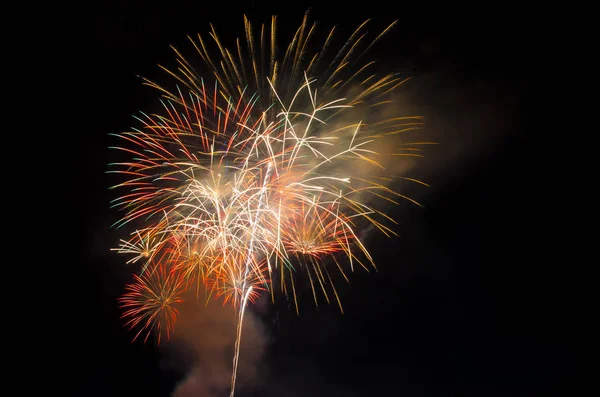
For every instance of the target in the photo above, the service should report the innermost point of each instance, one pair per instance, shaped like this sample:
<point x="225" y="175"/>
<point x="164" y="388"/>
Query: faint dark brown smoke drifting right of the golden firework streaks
<point x="468" y="118"/>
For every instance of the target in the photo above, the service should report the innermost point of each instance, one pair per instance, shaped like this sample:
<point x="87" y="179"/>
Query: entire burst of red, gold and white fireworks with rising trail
<point x="241" y="182"/>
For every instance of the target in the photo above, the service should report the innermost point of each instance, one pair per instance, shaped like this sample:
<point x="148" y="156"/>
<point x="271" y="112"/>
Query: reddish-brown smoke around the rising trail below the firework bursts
<point x="203" y="346"/>
